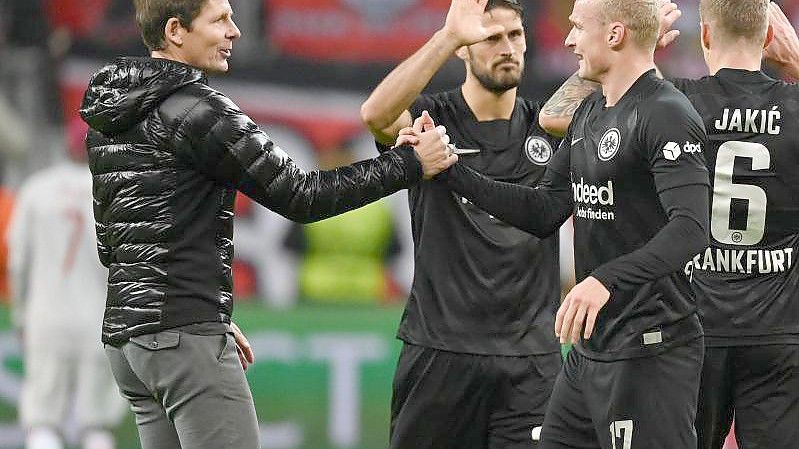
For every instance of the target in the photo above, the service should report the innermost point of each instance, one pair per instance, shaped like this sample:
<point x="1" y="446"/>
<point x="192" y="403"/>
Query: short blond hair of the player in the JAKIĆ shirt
<point x="746" y="19"/>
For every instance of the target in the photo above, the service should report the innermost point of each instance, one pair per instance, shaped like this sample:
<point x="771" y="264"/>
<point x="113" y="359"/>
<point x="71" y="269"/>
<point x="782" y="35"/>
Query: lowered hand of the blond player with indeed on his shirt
<point x="579" y="310"/>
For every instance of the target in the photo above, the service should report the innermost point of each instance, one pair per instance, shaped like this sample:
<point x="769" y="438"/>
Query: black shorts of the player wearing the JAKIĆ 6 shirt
<point x="760" y="386"/>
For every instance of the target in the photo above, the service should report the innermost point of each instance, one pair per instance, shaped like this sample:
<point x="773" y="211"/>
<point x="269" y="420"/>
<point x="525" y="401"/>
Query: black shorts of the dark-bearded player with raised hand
<point x="447" y="400"/>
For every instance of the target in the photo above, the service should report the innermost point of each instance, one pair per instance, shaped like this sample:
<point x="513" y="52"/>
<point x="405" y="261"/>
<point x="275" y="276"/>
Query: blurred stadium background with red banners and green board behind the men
<point x="320" y="303"/>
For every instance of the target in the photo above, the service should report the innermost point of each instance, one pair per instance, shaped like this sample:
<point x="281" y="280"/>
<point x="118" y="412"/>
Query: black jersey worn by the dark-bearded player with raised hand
<point x="481" y="286"/>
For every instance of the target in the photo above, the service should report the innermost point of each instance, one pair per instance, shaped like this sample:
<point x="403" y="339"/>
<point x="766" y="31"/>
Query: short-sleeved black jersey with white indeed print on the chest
<point x="621" y="160"/>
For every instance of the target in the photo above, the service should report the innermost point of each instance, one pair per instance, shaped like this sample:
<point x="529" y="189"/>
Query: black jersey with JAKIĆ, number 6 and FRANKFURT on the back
<point x="747" y="283"/>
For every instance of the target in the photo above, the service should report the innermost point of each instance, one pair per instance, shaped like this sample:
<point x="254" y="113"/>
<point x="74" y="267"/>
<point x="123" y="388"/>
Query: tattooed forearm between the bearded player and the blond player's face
<point x="556" y="115"/>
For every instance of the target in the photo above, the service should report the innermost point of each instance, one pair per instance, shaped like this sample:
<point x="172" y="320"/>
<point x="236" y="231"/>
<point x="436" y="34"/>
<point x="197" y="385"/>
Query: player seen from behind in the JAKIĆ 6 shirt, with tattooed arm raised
<point x="745" y="281"/>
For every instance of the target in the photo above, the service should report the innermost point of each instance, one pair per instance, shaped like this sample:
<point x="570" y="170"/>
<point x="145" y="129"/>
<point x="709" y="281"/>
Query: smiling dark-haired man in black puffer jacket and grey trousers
<point x="167" y="154"/>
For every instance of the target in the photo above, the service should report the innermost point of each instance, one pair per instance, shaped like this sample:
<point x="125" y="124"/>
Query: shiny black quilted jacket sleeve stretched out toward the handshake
<point x="219" y="140"/>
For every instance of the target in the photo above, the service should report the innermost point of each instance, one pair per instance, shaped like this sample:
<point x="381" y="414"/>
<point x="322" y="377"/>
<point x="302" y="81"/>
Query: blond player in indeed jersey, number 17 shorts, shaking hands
<point x="631" y="171"/>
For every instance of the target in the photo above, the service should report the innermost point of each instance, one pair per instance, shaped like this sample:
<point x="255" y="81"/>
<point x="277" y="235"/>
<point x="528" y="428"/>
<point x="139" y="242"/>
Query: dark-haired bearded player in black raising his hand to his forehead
<point x="479" y="358"/>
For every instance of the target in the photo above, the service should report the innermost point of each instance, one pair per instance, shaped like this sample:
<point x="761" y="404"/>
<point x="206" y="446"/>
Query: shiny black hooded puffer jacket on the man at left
<point x="167" y="154"/>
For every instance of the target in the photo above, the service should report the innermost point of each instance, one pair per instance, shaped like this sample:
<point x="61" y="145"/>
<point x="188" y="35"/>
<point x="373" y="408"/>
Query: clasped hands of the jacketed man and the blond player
<point x="430" y="143"/>
